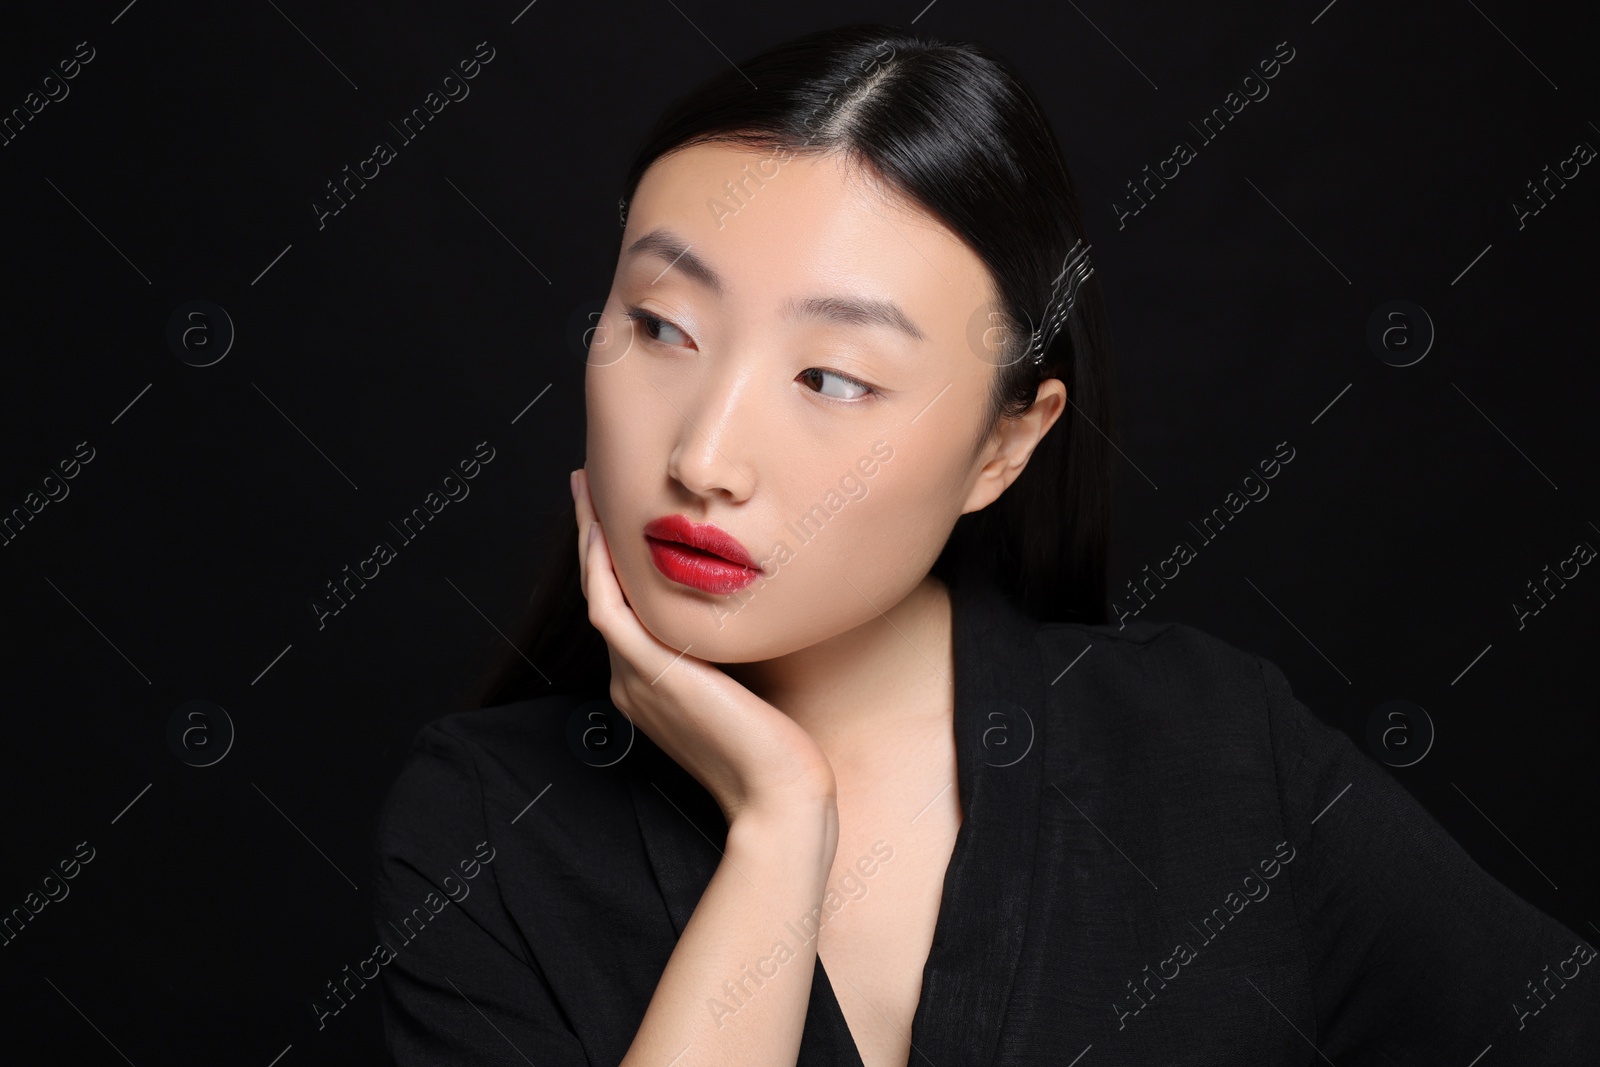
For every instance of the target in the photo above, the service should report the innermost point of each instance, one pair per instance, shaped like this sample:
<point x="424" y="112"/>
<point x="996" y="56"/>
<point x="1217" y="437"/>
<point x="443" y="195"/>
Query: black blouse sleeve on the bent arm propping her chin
<point x="460" y="983"/>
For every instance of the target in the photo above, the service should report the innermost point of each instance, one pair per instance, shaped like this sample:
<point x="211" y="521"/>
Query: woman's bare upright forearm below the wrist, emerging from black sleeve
<point x="738" y="983"/>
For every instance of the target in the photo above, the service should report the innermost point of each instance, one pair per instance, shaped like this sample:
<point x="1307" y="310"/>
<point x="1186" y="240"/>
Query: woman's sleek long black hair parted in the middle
<point x="954" y="129"/>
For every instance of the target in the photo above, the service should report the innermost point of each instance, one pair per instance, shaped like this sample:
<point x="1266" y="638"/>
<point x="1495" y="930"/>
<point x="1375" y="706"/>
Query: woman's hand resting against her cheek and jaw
<point x="748" y="754"/>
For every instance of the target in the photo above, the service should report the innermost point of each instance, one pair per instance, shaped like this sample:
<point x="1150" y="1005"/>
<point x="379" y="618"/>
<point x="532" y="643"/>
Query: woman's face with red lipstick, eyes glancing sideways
<point x="796" y="372"/>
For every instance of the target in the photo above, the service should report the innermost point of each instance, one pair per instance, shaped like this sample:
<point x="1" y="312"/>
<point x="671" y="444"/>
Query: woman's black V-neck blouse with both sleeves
<point x="1166" y="860"/>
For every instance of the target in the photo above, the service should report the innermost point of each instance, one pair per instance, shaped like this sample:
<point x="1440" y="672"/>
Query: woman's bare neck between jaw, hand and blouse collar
<point x="857" y="692"/>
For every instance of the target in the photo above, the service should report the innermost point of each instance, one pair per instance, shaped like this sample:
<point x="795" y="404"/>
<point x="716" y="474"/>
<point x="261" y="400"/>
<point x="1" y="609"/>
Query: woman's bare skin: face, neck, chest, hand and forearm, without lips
<point x="817" y="706"/>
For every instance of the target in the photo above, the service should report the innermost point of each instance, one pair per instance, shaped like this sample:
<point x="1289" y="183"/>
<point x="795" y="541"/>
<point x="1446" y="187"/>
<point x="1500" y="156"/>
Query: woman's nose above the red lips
<point x="716" y="433"/>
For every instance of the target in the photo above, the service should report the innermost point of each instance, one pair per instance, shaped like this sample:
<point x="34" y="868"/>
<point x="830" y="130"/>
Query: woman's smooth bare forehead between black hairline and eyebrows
<point x="777" y="225"/>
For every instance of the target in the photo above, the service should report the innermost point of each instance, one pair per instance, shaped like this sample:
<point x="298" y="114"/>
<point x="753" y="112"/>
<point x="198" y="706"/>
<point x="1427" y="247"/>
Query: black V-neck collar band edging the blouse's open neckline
<point x="983" y="911"/>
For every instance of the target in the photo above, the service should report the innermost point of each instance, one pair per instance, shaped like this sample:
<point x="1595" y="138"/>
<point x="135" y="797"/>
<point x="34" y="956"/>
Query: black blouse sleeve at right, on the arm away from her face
<point x="1414" y="953"/>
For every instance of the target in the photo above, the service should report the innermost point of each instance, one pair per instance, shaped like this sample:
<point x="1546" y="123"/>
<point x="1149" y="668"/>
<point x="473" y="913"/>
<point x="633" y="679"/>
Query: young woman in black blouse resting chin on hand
<point x="820" y="748"/>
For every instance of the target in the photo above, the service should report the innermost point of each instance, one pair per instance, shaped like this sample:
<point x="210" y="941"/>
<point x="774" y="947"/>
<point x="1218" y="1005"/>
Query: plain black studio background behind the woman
<point x="430" y="314"/>
